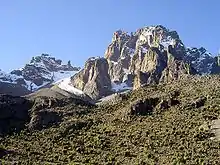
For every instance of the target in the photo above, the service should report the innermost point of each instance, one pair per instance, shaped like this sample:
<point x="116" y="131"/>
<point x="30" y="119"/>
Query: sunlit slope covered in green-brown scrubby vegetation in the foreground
<point x="160" y="124"/>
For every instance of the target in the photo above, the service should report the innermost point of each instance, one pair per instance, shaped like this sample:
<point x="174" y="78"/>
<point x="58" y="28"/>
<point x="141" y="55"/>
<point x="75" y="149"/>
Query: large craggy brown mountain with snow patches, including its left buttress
<point x="150" y="55"/>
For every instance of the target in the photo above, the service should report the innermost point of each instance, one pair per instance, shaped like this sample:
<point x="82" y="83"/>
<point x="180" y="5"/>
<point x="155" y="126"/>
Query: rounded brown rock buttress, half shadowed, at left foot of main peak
<point x="94" y="79"/>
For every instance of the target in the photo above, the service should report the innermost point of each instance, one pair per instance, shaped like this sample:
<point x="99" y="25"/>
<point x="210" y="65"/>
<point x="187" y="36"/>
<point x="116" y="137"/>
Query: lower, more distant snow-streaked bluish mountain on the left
<point x="42" y="71"/>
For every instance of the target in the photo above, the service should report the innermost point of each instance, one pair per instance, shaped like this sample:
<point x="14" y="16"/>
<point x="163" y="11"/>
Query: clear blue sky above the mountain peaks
<point x="78" y="29"/>
